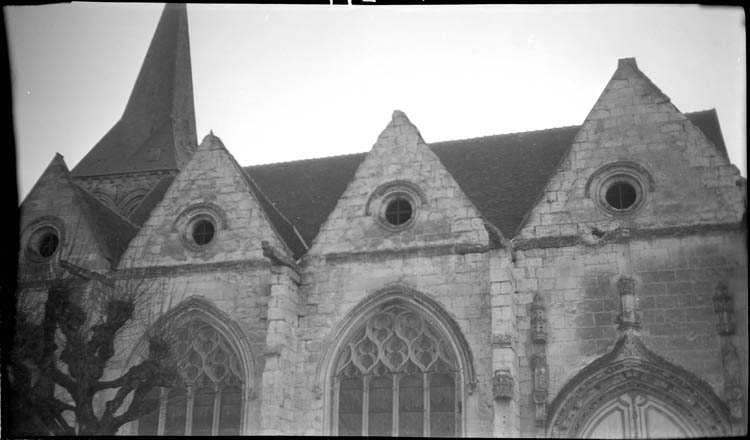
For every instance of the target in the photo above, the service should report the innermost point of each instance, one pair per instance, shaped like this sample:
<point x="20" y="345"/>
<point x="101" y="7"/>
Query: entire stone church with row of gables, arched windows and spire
<point x="582" y="281"/>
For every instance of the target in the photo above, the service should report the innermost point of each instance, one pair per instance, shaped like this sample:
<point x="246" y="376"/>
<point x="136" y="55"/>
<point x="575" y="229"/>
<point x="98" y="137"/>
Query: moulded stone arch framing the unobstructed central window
<point x="413" y="300"/>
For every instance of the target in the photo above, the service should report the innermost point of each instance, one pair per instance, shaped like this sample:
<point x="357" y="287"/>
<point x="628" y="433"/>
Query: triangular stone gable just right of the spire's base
<point x="212" y="187"/>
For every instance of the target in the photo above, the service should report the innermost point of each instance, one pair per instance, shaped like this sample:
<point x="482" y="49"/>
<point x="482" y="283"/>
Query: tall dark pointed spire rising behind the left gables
<point x="157" y="129"/>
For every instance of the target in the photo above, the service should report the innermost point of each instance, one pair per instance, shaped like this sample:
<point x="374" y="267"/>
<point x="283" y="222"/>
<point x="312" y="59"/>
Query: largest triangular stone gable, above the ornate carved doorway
<point x="637" y="162"/>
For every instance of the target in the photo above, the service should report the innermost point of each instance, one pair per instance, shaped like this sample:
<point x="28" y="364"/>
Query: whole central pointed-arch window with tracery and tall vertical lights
<point x="396" y="376"/>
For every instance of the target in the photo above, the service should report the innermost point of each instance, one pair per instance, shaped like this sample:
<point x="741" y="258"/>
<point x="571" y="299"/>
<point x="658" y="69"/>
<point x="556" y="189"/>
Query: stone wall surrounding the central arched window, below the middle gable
<point x="333" y="287"/>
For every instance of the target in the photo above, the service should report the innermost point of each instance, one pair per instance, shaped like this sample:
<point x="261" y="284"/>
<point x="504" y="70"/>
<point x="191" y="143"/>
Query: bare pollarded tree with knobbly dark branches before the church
<point x="58" y="359"/>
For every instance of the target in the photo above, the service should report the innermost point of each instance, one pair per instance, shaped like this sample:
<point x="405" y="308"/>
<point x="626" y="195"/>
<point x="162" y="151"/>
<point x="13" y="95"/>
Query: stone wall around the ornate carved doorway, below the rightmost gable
<point x="675" y="279"/>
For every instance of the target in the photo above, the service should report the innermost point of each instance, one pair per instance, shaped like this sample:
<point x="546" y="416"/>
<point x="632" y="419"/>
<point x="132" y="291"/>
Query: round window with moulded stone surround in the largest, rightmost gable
<point x="620" y="188"/>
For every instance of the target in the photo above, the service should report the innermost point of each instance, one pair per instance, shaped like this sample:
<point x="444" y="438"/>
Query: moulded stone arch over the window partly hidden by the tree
<point x="200" y="308"/>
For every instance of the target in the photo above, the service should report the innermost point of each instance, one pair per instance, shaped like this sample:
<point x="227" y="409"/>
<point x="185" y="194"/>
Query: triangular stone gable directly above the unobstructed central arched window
<point x="370" y="214"/>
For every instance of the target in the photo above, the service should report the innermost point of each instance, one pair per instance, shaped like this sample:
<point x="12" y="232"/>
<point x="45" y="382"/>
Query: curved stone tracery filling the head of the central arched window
<point x="395" y="340"/>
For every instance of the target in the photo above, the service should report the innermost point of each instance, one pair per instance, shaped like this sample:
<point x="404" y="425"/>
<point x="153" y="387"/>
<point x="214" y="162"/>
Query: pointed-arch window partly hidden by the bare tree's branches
<point x="207" y="400"/>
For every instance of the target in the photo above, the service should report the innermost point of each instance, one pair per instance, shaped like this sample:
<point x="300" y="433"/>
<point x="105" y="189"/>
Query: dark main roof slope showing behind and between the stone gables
<point x="503" y="175"/>
